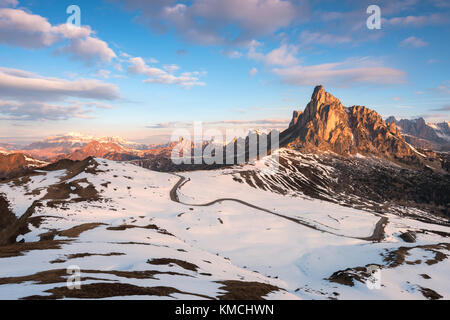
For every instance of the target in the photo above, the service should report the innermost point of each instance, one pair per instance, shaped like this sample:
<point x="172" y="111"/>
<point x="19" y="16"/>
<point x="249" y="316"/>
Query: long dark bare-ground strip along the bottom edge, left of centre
<point x="109" y="290"/>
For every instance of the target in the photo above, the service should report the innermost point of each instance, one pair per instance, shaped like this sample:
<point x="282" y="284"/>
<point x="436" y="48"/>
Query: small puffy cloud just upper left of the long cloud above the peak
<point x="282" y="56"/>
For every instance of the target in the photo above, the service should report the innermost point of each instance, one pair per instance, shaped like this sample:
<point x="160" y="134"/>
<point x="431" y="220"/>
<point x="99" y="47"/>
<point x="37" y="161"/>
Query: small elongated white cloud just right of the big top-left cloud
<point x="137" y="65"/>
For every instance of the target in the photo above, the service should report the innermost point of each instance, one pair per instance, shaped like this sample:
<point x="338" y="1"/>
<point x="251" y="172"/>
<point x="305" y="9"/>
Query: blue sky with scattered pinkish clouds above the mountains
<point x="140" y="69"/>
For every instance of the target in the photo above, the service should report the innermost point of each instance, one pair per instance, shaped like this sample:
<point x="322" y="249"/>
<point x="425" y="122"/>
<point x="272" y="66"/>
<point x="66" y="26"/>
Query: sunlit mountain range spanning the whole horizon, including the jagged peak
<point x="325" y="125"/>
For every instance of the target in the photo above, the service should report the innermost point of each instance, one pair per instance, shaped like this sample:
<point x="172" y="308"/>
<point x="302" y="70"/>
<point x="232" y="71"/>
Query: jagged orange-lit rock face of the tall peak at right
<point x="327" y="125"/>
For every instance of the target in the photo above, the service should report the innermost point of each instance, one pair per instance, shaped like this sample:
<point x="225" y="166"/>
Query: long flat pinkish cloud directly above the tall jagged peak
<point x="349" y="72"/>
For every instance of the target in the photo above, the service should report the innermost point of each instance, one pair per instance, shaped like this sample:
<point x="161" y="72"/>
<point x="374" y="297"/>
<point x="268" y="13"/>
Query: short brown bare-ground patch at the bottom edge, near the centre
<point x="241" y="290"/>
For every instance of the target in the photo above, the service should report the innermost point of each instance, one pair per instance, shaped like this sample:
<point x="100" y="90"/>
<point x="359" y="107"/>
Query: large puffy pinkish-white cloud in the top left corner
<point x="27" y="30"/>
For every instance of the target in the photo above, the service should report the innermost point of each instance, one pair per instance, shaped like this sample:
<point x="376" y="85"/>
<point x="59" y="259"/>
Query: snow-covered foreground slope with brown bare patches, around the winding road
<point x="204" y="235"/>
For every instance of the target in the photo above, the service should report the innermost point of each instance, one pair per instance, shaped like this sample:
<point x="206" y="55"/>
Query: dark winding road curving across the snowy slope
<point x="377" y="234"/>
